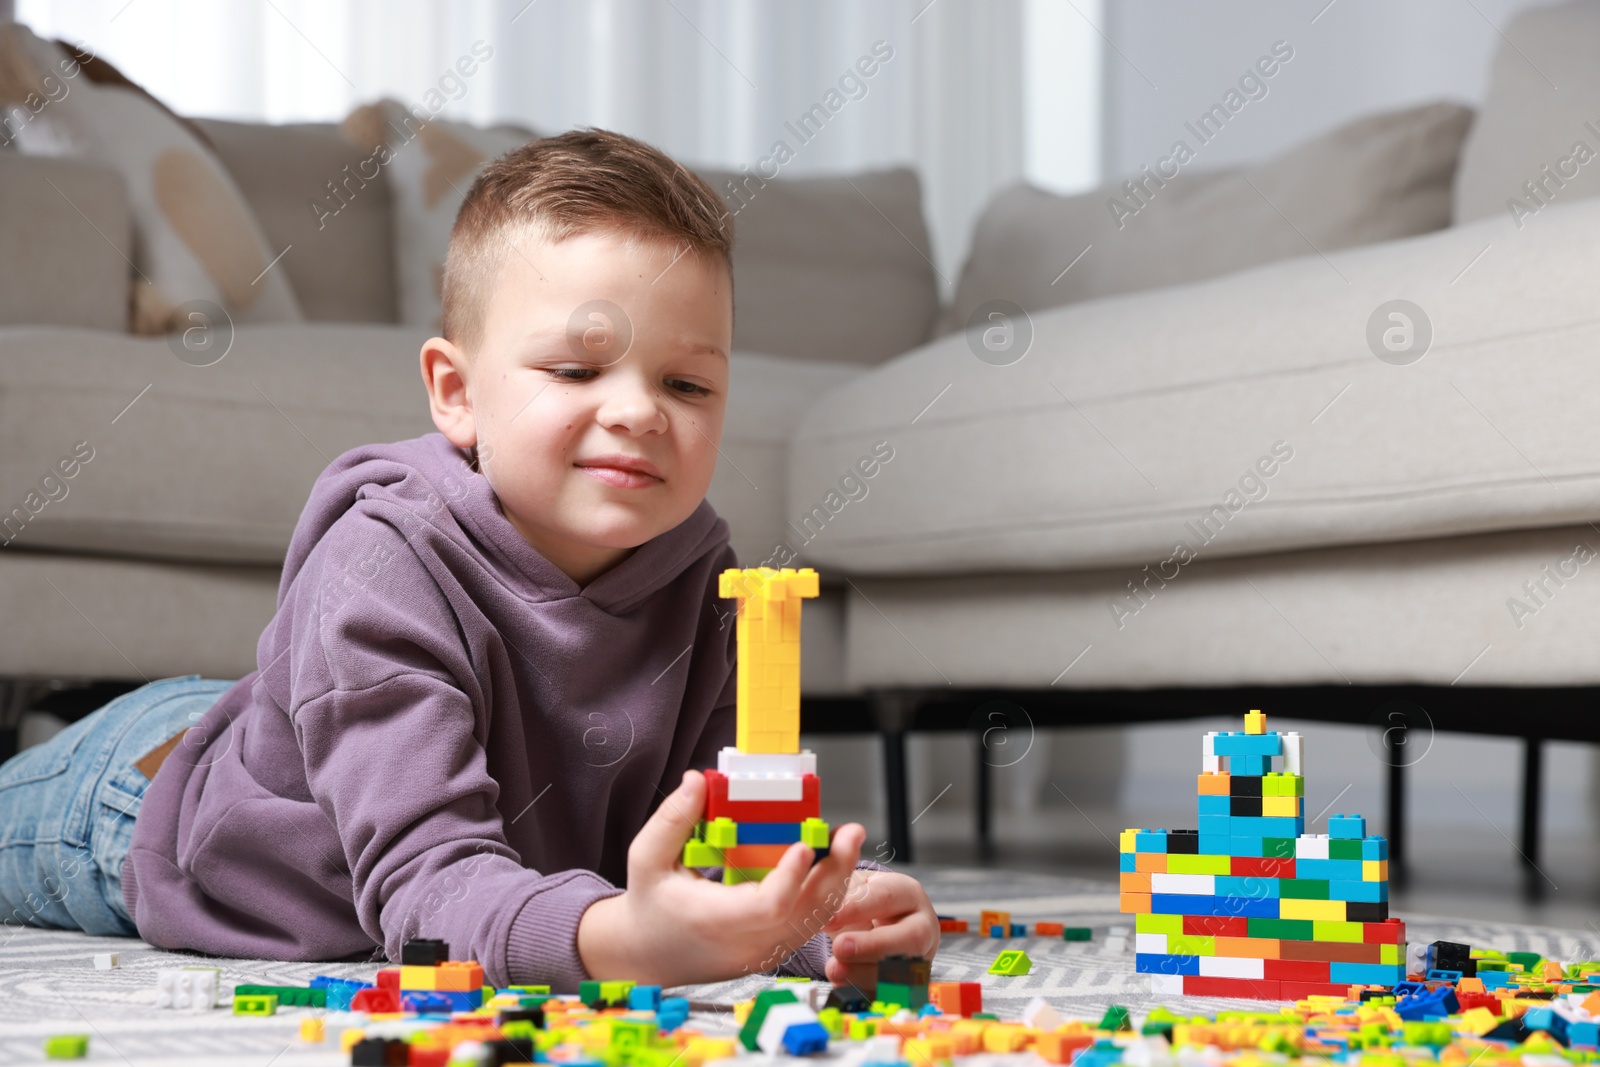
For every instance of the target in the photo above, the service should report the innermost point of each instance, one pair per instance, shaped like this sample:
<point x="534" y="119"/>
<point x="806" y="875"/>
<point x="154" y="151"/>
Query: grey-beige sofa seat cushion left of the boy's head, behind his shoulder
<point x="190" y="463"/>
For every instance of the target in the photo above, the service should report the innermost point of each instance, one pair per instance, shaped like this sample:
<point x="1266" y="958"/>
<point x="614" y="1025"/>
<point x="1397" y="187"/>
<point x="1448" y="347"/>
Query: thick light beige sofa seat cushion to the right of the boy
<point x="1250" y="409"/>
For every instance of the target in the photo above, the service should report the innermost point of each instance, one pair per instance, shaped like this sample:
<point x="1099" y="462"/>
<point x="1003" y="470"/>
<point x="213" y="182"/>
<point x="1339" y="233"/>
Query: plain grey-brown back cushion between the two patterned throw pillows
<point x="327" y="202"/>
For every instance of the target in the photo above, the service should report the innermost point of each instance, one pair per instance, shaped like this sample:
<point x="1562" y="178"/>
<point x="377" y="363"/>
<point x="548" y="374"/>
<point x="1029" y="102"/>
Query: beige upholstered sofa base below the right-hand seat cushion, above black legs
<point x="1441" y="612"/>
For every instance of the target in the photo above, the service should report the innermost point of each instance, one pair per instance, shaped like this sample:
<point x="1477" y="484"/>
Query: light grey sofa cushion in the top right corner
<point x="1540" y="122"/>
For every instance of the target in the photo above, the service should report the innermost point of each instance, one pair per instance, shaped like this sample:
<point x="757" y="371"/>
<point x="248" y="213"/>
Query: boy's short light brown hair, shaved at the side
<point x="582" y="182"/>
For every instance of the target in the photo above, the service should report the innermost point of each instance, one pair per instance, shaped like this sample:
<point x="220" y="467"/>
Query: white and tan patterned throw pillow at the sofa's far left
<point x="196" y="236"/>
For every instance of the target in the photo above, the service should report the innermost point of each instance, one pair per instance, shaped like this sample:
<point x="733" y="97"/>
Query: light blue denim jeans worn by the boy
<point x="68" y="807"/>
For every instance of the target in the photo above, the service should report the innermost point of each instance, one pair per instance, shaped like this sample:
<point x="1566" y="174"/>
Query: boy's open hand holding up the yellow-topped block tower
<point x="674" y="927"/>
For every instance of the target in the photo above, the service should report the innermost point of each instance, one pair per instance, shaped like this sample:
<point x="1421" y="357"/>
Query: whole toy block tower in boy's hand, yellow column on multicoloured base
<point x="766" y="794"/>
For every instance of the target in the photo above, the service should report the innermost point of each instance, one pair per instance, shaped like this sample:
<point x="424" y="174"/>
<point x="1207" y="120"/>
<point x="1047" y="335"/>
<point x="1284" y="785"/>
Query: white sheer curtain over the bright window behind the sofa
<point x="711" y="82"/>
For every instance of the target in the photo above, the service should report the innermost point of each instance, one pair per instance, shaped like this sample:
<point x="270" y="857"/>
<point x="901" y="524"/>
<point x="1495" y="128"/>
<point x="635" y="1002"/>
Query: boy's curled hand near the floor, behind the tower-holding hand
<point x="884" y="914"/>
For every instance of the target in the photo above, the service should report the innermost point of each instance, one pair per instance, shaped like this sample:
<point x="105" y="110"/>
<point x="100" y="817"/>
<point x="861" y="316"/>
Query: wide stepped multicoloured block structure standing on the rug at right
<point x="1250" y="905"/>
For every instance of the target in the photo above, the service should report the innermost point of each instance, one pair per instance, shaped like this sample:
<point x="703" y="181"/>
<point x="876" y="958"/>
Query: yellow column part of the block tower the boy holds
<point x="769" y="673"/>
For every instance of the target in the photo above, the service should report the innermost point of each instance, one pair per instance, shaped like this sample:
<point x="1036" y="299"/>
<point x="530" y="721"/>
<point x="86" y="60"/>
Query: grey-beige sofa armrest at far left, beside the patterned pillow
<point x="65" y="244"/>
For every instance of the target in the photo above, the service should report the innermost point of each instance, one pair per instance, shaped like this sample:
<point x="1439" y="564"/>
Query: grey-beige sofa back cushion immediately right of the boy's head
<point x="831" y="270"/>
